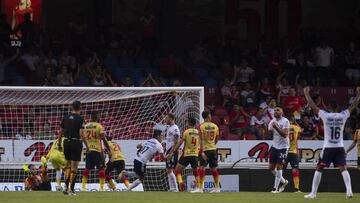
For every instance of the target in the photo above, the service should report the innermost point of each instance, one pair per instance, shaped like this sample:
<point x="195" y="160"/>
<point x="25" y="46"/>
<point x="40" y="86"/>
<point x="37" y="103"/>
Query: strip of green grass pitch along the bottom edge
<point x="166" y="197"/>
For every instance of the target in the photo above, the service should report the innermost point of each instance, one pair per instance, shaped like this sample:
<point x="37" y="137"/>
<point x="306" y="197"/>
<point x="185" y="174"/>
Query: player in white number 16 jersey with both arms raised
<point x="333" y="150"/>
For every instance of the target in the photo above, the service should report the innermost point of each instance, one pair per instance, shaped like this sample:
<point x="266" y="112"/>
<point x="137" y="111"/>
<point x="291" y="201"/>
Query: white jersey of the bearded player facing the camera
<point x="280" y="142"/>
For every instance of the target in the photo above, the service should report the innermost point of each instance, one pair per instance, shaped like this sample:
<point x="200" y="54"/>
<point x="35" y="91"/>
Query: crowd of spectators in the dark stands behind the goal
<point x="252" y="81"/>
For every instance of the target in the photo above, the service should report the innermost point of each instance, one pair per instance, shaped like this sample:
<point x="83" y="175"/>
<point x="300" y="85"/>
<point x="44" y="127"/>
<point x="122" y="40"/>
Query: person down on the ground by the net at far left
<point x="37" y="179"/>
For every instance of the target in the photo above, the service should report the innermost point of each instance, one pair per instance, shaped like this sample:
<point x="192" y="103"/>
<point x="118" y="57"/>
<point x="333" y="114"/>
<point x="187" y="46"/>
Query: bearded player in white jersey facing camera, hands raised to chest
<point x="279" y="126"/>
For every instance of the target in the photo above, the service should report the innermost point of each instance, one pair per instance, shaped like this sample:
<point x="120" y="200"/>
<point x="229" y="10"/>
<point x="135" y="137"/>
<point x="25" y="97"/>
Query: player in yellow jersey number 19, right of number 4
<point x="209" y="134"/>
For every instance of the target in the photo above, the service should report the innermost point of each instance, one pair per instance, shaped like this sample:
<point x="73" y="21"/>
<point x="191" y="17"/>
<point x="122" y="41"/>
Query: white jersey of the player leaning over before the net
<point x="148" y="150"/>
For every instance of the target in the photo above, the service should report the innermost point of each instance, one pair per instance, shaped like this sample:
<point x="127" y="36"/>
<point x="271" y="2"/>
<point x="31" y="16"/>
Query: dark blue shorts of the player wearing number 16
<point x="336" y="156"/>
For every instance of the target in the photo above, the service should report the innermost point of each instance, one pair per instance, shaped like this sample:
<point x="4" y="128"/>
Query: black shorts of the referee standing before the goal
<point x="72" y="149"/>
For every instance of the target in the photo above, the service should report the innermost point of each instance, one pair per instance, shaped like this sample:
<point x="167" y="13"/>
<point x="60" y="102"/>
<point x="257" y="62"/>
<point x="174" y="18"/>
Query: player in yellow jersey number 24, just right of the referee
<point x="94" y="134"/>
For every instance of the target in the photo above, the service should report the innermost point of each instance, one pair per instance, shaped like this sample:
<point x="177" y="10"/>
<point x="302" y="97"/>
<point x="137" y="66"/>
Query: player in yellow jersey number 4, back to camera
<point x="190" y="154"/>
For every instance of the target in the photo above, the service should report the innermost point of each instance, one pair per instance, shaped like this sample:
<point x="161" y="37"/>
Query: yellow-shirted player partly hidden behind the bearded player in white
<point x="293" y="153"/>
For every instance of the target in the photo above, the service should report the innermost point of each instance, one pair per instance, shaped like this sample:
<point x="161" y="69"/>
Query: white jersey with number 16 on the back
<point x="333" y="127"/>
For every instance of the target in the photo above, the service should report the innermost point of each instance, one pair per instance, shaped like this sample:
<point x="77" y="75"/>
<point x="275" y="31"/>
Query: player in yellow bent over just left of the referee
<point x="58" y="161"/>
